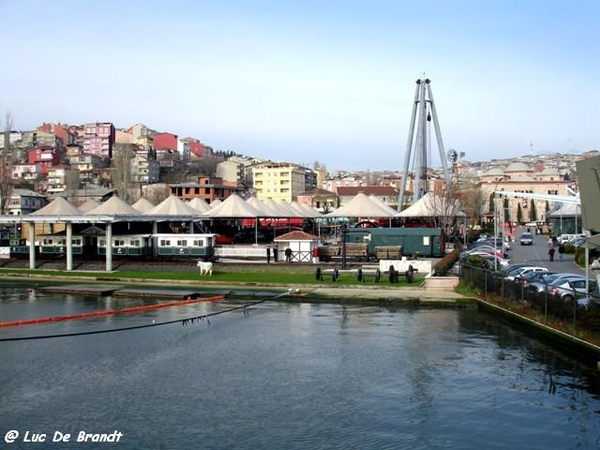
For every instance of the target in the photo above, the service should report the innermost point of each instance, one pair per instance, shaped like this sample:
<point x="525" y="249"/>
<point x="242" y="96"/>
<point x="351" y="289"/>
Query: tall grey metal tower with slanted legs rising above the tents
<point x="419" y="143"/>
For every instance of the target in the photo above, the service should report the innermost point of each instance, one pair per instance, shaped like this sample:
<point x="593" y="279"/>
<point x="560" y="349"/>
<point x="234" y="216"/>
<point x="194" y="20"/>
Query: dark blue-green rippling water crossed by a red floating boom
<point x="292" y="376"/>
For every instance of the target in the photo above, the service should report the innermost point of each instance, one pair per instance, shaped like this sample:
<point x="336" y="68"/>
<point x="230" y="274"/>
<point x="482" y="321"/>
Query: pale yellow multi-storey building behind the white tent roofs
<point x="278" y="181"/>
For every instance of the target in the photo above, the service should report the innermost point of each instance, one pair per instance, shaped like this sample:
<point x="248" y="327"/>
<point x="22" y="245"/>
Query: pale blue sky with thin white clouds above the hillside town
<point x="306" y="81"/>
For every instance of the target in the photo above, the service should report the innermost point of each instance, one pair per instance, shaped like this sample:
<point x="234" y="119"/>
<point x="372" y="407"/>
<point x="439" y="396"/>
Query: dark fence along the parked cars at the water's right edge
<point x="570" y="307"/>
